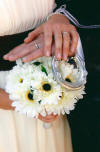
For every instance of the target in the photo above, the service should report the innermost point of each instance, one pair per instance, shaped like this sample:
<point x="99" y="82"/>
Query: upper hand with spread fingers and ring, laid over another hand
<point x="64" y="34"/>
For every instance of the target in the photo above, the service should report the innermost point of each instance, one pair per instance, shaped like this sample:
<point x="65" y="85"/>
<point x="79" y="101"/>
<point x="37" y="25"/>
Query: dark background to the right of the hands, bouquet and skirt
<point x="85" y="119"/>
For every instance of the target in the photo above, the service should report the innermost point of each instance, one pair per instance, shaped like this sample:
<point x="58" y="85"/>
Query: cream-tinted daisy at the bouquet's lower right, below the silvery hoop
<point x="66" y="102"/>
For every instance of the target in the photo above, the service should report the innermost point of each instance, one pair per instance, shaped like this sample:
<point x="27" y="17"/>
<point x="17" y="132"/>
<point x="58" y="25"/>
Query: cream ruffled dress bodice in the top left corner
<point x="17" y="16"/>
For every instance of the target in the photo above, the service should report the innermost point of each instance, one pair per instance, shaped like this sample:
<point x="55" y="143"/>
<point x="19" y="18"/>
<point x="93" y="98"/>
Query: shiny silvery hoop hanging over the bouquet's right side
<point x="74" y="85"/>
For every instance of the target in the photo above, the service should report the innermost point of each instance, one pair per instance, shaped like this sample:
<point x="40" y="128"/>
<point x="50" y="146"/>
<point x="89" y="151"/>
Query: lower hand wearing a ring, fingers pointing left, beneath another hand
<point x="27" y="52"/>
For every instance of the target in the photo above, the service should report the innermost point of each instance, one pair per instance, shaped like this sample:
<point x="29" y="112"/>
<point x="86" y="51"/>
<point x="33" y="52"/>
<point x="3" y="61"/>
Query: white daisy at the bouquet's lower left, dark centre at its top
<point x="27" y="103"/>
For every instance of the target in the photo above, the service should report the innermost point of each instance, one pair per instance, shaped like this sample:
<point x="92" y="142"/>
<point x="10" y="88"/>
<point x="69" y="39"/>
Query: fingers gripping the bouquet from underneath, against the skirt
<point x="48" y="118"/>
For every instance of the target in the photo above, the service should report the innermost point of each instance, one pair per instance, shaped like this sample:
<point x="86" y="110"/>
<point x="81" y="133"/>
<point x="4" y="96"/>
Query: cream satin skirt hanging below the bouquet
<point x="19" y="133"/>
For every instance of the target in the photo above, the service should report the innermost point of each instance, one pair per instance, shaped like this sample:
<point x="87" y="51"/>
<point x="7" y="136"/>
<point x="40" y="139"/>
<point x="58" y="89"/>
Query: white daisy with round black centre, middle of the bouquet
<point x="47" y="88"/>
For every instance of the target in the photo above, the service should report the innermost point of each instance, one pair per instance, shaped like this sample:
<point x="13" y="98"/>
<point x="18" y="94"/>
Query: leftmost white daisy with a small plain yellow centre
<point x="18" y="79"/>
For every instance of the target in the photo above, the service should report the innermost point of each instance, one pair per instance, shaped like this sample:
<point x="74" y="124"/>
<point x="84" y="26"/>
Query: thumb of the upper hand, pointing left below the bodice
<point x="33" y="34"/>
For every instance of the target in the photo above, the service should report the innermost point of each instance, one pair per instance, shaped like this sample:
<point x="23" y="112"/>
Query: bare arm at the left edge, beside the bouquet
<point x="5" y="102"/>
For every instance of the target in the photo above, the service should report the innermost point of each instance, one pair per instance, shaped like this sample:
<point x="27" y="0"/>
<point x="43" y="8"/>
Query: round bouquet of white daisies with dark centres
<point x="33" y="89"/>
